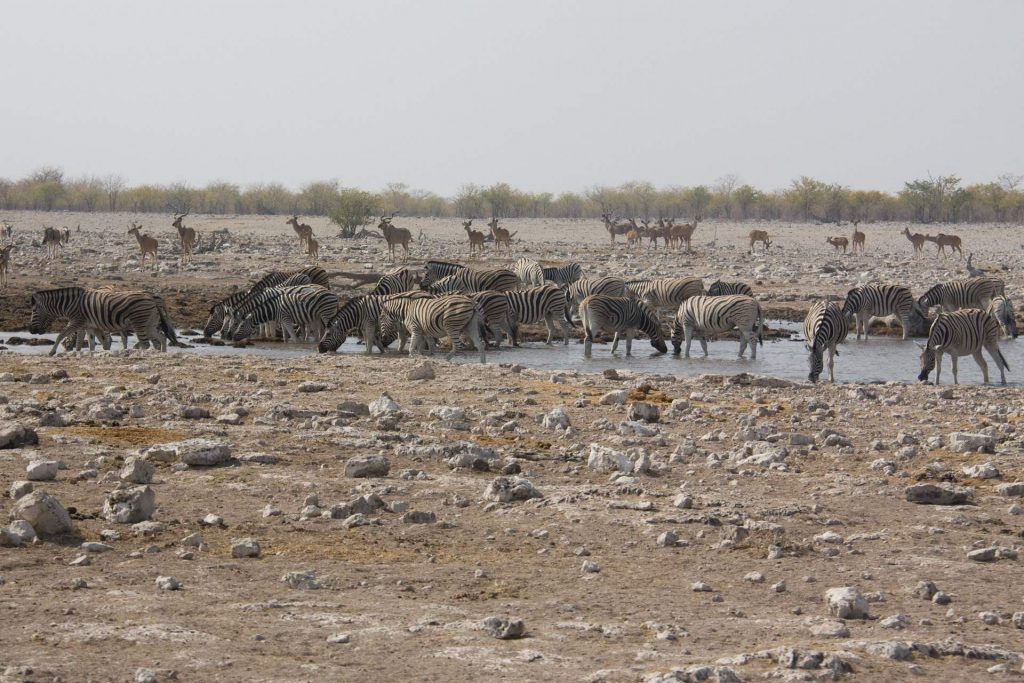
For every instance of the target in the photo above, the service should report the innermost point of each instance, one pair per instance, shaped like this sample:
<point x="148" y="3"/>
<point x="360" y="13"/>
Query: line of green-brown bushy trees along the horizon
<point x="943" y="199"/>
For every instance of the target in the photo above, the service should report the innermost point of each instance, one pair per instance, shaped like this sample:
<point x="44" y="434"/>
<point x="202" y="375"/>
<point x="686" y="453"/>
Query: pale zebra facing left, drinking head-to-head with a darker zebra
<point x="705" y="315"/>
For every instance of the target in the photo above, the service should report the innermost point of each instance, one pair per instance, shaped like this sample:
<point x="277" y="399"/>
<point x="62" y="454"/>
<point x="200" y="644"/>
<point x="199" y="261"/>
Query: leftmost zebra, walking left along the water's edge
<point x="99" y="313"/>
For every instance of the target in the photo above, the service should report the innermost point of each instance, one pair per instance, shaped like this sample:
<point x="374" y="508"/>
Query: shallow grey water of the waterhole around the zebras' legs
<point x="878" y="360"/>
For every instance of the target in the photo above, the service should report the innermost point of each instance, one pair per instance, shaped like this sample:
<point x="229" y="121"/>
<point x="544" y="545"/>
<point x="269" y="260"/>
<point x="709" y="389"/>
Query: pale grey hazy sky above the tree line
<point x="547" y="96"/>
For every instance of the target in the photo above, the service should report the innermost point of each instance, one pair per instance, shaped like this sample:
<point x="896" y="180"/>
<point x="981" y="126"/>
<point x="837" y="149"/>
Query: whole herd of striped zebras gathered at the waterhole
<point x="484" y="307"/>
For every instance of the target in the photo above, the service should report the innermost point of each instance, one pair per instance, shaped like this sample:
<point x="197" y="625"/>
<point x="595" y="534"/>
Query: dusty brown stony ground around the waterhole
<point x="810" y="509"/>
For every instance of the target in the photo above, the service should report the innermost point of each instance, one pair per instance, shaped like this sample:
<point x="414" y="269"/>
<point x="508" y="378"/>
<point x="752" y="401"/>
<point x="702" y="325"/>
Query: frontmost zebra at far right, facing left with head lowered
<point x="963" y="333"/>
